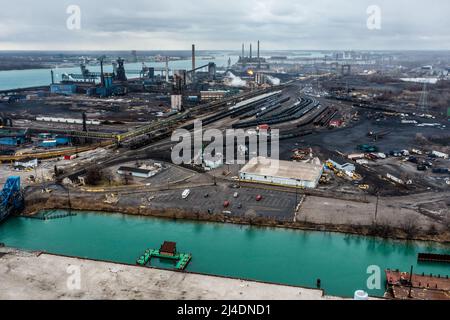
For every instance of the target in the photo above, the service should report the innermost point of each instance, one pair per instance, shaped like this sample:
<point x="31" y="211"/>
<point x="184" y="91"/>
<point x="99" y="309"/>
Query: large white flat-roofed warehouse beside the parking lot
<point x="285" y="173"/>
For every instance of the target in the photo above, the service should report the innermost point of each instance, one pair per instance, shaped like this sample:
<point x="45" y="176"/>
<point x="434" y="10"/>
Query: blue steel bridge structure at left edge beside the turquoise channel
<point x="11" y="198"/>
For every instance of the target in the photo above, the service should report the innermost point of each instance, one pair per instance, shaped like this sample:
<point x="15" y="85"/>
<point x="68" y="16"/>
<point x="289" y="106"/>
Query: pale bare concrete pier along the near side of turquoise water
<point x="34" y="275"/>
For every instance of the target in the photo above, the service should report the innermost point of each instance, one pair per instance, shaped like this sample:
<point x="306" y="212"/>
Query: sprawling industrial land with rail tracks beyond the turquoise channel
<point x="364" y="165"/>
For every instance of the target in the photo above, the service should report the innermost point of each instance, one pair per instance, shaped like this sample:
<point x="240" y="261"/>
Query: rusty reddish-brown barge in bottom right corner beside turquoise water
<point x="403" y="286"/>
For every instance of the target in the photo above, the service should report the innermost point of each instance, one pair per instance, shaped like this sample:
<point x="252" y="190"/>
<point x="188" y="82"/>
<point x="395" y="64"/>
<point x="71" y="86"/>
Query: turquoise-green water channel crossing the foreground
<point x="274" y="255"/>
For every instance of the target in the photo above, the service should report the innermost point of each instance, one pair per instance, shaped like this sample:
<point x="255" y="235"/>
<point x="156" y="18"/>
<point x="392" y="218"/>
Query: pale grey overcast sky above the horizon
<point x="224" y="24"/>
